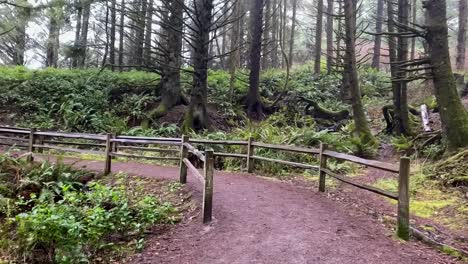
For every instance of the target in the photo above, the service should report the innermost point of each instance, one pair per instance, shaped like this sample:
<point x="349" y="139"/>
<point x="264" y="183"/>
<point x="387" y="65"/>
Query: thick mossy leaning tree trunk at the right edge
<point x="453" y="115"/>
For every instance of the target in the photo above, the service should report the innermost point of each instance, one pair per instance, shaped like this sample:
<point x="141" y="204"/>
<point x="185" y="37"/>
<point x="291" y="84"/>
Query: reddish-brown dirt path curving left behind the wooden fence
<point x="259" y="220"/>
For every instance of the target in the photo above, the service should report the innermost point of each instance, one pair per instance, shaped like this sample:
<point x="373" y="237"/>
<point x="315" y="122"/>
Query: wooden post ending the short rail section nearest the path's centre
<point x="208" y="186"/>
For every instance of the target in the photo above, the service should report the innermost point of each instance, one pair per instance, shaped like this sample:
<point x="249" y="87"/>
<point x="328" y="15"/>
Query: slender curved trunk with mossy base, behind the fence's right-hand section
<point x="362" y="128"/>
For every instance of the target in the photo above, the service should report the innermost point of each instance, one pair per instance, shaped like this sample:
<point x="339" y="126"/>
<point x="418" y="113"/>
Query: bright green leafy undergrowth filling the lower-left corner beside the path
<point x="52" y="213"/>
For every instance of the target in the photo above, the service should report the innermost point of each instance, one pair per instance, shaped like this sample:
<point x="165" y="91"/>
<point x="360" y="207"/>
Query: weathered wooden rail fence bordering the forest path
<point x="118" y="146"/>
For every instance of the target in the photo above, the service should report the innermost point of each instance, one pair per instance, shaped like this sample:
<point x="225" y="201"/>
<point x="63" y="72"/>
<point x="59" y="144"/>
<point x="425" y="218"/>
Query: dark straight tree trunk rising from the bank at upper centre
<point x="254" y="104"/>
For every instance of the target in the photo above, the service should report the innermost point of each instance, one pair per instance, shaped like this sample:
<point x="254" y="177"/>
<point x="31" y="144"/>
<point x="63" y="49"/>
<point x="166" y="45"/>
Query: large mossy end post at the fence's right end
<point x="403" y="224"/>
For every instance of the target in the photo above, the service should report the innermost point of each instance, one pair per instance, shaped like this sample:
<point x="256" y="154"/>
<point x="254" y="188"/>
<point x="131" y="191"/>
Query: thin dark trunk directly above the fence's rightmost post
<point x="403" y="18"/>
